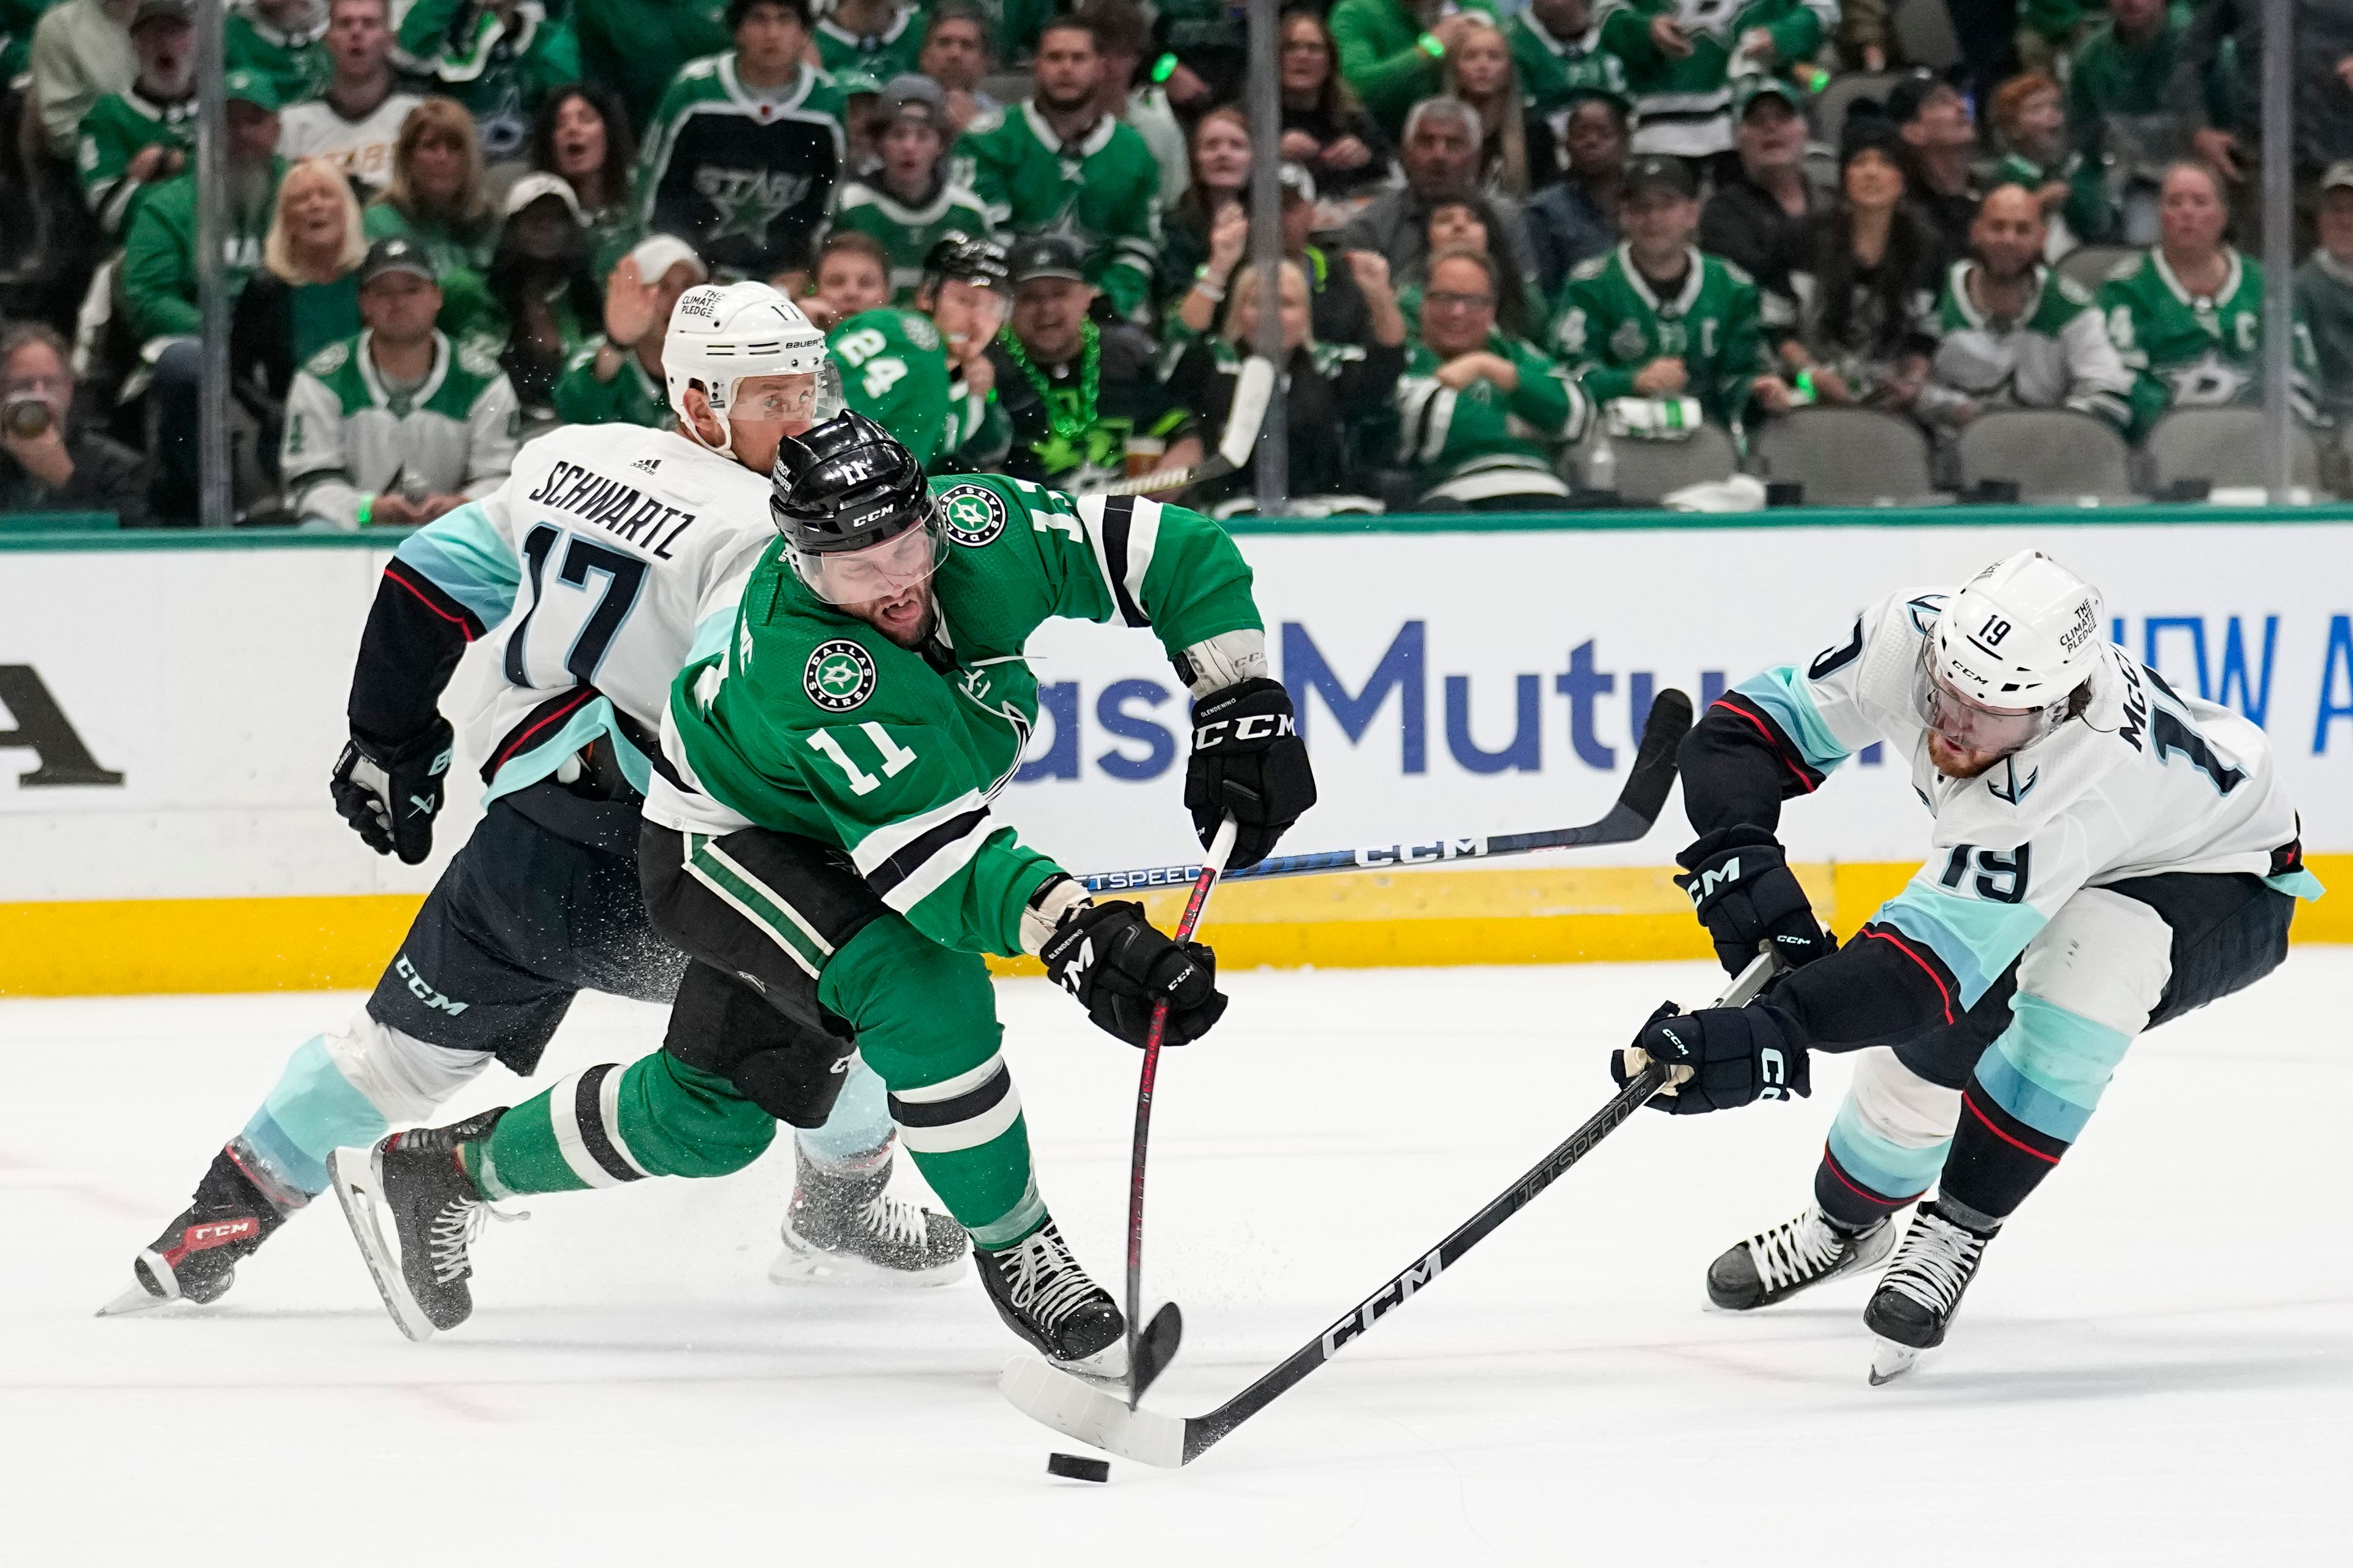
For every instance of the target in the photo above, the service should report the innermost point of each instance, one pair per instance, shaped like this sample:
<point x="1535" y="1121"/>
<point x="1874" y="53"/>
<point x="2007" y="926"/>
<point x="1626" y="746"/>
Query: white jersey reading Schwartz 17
<point x="606" y="562"/>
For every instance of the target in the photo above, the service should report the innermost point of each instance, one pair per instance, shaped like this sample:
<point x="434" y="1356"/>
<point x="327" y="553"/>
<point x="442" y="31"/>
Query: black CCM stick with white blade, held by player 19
<point x="1088" y="1414"/>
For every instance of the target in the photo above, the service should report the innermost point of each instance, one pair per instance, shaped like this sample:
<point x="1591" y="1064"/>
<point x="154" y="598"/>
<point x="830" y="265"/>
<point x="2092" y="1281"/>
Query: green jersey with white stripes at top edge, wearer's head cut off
<point x="1686" y="105"/>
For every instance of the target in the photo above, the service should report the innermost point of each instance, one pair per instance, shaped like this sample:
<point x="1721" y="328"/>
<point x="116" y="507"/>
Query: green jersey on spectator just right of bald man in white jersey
<point x="2194" y="352"/>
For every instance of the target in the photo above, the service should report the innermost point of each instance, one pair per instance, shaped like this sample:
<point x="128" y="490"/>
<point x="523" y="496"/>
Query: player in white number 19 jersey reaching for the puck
<point x="2107" y="856"/>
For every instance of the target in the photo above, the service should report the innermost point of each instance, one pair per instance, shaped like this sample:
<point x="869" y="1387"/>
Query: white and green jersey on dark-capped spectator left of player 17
<point x="349" y="437"/>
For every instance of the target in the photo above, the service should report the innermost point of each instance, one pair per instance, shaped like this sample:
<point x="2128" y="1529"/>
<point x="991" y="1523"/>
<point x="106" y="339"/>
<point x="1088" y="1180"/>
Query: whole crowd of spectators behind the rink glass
<point x="1512" y="241"/>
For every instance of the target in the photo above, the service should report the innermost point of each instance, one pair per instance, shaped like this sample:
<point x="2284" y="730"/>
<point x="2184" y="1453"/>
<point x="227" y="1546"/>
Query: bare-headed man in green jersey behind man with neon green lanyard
<point x="1060" y="164"/>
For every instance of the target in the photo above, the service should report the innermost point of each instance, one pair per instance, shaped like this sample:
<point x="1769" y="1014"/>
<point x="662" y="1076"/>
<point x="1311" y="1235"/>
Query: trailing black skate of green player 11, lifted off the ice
<point x="413" y="1178"/>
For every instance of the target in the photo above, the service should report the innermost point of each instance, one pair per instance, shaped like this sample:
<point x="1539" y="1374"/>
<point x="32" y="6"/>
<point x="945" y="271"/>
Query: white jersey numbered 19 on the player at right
<point x="2145" y="783"/>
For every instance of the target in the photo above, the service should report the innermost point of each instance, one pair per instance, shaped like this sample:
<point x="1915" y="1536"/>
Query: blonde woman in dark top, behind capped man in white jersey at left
<point x="307" y="291"/>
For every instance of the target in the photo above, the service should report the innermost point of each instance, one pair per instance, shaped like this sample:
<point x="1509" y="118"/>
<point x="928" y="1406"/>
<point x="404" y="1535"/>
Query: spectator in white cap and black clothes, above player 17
<point x="545" y="286"/>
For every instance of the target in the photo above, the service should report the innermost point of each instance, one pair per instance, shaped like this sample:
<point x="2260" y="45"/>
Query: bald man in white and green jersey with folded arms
<point x="2015" y="333"/>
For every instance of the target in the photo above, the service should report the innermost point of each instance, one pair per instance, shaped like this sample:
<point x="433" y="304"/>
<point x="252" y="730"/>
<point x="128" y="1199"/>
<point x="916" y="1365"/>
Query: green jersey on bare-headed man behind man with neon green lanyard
<point x="1102" y="190"/>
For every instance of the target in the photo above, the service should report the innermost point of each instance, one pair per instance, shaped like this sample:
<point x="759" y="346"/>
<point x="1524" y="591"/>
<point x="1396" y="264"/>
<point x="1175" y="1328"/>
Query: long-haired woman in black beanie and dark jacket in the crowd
<point x="1860" y="286"/>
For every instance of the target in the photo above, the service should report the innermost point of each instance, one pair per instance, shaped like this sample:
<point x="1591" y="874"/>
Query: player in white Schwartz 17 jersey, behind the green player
<point x="596" y="566"/>
